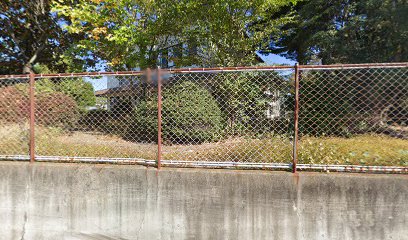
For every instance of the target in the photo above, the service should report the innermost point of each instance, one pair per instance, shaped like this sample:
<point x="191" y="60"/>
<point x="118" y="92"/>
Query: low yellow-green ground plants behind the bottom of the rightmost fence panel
<point x="374" y="150"/>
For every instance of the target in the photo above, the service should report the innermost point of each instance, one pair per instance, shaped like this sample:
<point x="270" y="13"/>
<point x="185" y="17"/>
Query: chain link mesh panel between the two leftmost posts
<point x="94" y="117"/>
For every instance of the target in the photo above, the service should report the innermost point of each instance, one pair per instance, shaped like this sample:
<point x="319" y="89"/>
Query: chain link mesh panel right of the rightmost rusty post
<point x="354" y="116"/>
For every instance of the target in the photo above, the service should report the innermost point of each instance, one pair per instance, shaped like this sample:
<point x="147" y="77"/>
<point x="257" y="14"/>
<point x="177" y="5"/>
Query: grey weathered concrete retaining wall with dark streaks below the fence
<point x="64" y="201"/>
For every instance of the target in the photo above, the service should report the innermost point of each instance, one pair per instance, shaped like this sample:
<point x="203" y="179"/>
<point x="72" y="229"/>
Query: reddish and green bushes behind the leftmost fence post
<point x="58" y="104"/>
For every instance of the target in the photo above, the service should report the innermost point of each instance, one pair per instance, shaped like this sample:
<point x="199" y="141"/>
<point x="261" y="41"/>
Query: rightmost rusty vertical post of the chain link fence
<point x="296" y="119"/>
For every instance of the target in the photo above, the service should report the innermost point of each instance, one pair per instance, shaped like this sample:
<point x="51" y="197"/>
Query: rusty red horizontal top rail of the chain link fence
<point x="217" y="69"/>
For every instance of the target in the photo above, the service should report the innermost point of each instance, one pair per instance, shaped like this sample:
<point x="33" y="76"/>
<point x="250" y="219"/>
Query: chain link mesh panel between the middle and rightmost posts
<point x="237" y="116"/>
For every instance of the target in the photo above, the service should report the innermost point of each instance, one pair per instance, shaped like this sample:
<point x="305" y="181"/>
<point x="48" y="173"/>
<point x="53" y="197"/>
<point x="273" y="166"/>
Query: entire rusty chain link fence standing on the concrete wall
<point x="320" y="117"/>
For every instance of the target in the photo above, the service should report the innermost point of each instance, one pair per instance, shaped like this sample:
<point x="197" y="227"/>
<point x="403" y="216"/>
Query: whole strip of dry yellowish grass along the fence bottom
<point x="360" y="150"/>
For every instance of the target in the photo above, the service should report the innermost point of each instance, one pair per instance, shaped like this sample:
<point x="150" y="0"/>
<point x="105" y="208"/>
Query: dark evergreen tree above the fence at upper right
<point x="344" y="31"/>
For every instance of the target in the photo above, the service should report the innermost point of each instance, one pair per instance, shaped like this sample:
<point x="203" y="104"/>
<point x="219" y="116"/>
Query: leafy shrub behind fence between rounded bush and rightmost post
<point x="244" y="99"/>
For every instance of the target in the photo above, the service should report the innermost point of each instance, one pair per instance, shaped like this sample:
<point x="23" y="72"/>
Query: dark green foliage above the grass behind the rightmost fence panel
<point x="348" y="102"/>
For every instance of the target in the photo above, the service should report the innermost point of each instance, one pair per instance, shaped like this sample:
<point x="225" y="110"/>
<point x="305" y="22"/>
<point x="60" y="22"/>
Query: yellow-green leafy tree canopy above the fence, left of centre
<point x="127" y="34"/>
